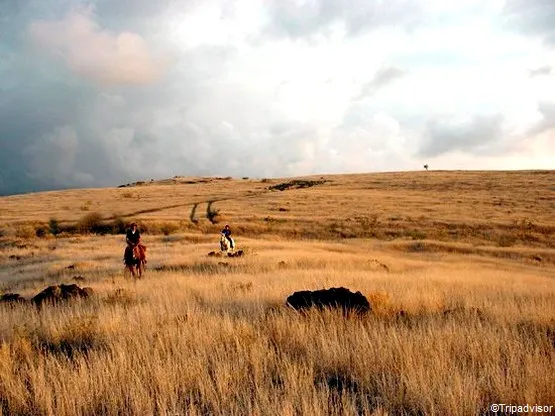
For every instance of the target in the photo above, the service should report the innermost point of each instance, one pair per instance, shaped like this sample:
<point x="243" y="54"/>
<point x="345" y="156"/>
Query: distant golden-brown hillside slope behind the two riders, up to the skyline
<point x="501" y="209"/>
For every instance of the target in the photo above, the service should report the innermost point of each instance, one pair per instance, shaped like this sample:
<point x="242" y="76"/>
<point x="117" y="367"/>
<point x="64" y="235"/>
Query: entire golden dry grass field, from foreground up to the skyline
<point x="458" y="266"/>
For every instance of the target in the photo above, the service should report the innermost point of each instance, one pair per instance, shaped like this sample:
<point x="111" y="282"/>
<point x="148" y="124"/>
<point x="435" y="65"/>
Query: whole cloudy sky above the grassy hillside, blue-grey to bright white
<point x="104" y="92"/>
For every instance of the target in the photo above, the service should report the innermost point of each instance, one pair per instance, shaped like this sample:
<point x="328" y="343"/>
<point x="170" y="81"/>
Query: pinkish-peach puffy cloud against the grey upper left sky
<point x="97" y="54"/>
